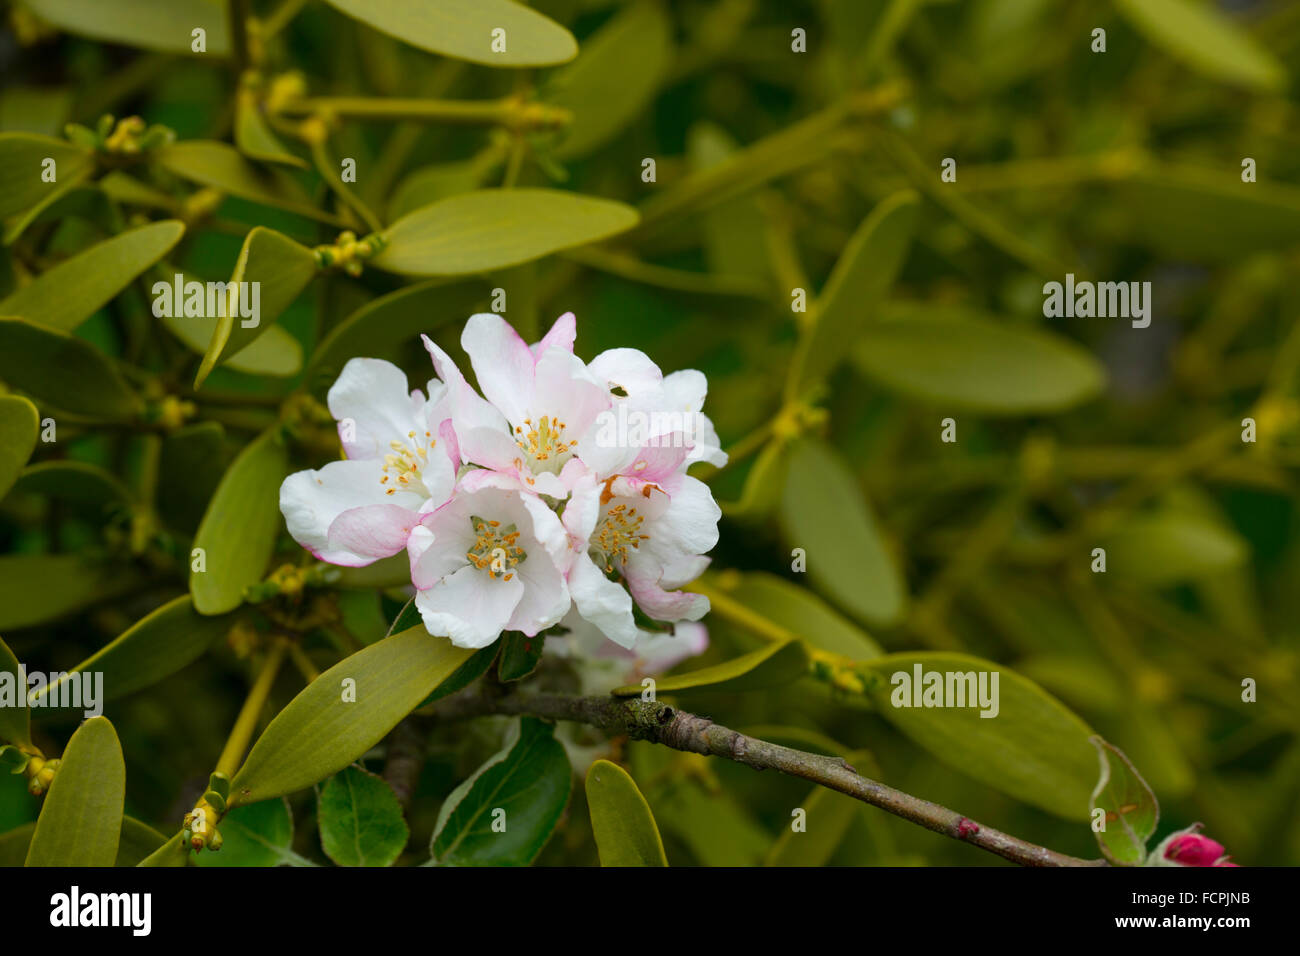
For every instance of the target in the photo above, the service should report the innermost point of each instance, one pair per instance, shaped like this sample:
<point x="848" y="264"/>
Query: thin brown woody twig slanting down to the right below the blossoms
<point x="662" y="724"/>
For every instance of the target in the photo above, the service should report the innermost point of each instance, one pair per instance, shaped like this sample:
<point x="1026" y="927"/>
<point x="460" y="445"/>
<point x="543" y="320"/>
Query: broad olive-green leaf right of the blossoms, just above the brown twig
<point x="1034" y="749"/>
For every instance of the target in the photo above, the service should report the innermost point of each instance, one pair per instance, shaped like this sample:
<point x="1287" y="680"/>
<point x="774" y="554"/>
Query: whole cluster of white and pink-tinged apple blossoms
<point x="561" y="490"/>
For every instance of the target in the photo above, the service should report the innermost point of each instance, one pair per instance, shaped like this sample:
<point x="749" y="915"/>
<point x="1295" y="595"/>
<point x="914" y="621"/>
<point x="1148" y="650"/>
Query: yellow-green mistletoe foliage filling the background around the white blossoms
<point x="775" y="171"/>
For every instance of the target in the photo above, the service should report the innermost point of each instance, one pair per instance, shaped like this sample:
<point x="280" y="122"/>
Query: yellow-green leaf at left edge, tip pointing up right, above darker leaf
<point x="70" y="293"/>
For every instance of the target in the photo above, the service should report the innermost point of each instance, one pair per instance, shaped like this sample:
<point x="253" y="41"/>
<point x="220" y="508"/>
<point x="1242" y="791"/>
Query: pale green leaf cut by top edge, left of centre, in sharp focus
<point x="463" y="29"/>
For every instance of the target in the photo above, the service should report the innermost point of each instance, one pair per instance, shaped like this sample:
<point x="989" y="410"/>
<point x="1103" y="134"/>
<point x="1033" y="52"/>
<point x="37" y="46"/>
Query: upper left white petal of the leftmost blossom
<point x="372" y="405"/>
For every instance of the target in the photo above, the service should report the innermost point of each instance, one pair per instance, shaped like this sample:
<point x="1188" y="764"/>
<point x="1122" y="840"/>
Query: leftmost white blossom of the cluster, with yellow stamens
<point x="401" y="462"/>
